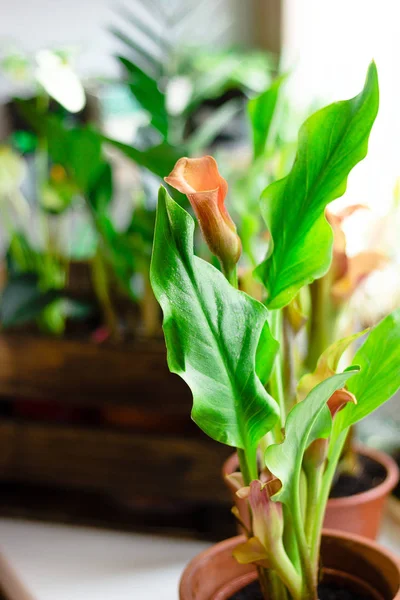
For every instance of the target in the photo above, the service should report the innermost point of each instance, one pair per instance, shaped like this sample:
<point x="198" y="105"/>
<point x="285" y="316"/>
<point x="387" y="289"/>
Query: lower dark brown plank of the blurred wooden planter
<point x="127" y="466"/>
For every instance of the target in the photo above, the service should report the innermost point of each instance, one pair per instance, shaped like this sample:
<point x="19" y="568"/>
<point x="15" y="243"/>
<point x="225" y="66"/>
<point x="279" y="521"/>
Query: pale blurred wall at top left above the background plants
<point x="33" y="24"/>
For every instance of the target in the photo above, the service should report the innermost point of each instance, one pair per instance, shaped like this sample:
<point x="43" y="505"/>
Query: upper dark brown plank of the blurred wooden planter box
<point x="90" y="374"/>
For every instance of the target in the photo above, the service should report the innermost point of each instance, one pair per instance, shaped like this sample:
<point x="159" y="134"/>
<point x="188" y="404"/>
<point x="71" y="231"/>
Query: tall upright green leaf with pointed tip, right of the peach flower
<point x="331" y="143"/>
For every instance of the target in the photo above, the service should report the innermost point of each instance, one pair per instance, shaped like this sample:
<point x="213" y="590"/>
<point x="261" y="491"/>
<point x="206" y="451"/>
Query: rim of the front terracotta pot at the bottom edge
<point x="327" y="533"/>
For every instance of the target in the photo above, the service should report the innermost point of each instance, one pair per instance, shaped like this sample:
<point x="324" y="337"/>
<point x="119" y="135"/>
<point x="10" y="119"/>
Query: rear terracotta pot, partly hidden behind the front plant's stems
<point x="360" y="514"/>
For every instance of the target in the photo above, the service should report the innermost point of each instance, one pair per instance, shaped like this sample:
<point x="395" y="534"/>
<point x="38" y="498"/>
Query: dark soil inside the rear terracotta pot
<point x="348" y="484"/>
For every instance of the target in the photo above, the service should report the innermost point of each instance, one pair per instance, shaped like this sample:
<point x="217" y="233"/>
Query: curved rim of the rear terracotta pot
<point x="382" y="489"/>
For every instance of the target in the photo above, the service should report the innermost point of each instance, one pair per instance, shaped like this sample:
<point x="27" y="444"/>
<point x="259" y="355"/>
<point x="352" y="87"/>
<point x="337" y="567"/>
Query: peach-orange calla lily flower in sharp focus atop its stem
<point x="200" y="180"/>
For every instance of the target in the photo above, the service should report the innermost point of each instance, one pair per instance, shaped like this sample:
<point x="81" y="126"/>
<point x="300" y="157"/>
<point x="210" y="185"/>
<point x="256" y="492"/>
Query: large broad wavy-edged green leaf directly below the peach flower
<point x="212" y="332"/>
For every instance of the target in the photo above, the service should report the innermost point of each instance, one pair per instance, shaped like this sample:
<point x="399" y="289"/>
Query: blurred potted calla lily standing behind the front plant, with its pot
<point x="323" y="312"/>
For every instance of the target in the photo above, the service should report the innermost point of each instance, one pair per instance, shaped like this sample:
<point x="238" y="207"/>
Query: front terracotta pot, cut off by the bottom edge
<point x="361" y="565"/>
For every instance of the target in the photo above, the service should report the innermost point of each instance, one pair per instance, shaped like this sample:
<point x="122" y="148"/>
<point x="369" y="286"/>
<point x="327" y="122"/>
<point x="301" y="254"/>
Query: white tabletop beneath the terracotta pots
<point x="57" y="562"/>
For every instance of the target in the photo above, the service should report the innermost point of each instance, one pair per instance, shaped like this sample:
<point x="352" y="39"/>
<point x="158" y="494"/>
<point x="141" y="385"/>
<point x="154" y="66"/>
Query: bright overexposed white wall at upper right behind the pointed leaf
<point x="330" y="43"/>
